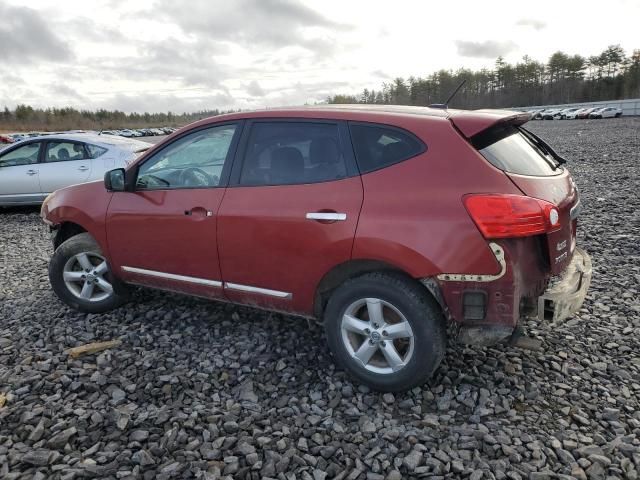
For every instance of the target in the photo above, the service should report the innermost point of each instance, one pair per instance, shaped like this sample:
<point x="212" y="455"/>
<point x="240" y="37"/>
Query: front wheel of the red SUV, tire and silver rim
<point x="89" y="290"/>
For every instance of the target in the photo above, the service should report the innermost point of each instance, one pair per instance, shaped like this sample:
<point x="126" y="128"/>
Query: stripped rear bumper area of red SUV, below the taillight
<point x="508" y="297"/>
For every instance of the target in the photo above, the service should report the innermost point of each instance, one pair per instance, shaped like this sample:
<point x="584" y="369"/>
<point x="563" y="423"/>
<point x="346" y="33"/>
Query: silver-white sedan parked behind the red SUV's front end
<point x="33" y="168"/>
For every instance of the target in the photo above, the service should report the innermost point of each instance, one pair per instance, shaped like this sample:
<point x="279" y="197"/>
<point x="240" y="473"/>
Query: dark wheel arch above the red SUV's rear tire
<point x="355" y="268"/>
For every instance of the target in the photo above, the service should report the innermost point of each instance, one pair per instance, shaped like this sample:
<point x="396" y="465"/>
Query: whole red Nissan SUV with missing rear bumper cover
<point x="384" y="222"/>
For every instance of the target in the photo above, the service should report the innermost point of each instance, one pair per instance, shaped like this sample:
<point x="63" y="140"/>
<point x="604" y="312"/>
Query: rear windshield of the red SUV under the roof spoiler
<point x="515" y="151"/>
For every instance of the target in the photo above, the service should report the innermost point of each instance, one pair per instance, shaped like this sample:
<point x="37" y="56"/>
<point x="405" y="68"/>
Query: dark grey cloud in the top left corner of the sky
<point x="26" y="37"/>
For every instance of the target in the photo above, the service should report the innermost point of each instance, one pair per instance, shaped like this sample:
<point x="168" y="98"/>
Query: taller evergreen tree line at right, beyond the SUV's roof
<point x="564" y="78"/>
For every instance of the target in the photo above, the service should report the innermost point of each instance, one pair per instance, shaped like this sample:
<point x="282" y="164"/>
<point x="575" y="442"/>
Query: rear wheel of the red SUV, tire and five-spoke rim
<point x="399" y="299"/>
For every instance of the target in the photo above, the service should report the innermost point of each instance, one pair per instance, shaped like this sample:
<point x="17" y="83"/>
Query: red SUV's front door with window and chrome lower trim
<point x="163" y="234"/>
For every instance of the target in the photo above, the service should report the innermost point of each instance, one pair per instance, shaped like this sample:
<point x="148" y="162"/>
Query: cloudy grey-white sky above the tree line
<point x="185" y="56"/>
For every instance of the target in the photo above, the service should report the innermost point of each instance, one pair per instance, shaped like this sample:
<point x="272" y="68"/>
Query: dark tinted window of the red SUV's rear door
<point x="288" y="153"/>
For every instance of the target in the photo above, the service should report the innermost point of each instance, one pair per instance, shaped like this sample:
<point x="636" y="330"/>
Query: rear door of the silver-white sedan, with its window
<point x="64" y="163"/>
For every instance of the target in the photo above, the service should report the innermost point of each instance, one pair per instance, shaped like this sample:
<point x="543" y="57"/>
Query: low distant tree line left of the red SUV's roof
<point x="27" y="118"/>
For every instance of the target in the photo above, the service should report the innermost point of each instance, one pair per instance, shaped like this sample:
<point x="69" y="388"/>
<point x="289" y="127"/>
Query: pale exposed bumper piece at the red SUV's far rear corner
<point x="565" y="295"/>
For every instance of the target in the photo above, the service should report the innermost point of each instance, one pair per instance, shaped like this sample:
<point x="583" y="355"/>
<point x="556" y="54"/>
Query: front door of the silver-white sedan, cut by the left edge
<point x="19" y="174"/>
